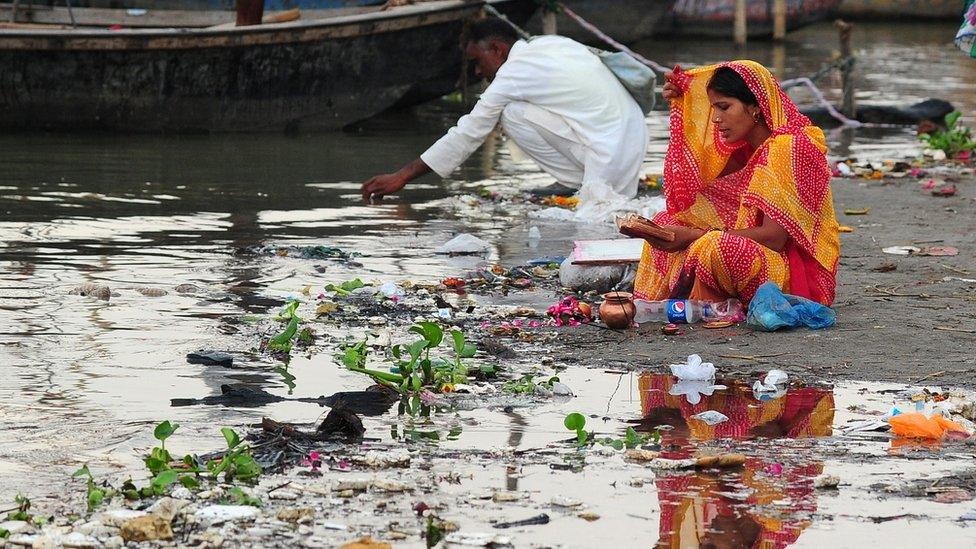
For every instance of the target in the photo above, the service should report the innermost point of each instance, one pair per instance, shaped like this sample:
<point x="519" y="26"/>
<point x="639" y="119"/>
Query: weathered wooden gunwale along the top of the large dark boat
<point x="309" y="30"/>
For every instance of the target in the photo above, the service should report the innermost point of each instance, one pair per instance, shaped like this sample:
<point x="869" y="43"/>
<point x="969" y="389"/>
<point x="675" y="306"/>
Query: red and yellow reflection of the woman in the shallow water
<point x="696" y="509"/>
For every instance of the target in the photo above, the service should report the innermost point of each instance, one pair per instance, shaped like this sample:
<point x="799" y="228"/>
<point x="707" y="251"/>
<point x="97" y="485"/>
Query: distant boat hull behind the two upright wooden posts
<point x="716" y="18"/>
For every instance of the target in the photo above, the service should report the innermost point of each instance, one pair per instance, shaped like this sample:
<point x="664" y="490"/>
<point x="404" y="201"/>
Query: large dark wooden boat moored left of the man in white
<point x="308" y="74"/>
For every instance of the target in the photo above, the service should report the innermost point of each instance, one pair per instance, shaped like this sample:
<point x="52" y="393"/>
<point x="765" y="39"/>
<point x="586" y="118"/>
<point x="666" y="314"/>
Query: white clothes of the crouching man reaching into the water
<point x="556" y="90"/>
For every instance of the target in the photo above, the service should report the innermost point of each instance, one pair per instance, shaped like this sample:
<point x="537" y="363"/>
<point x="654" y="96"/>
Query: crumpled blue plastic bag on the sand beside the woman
<point x="771" y="310"/>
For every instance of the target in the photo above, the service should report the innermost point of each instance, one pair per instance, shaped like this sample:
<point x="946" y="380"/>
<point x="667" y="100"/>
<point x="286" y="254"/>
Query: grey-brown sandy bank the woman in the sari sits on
<point x="891" y="326"/>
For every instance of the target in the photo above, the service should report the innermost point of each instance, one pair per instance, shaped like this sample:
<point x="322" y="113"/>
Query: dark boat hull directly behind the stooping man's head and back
<point x="626" y="21"/>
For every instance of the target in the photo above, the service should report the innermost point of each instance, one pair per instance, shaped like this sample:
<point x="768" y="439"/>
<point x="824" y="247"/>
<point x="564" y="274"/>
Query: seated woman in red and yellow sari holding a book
<point x="747" y="187"/>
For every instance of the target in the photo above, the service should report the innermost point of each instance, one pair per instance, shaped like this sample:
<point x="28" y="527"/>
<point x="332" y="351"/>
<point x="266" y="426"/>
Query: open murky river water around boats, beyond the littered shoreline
<point x="84" y="380"/>
